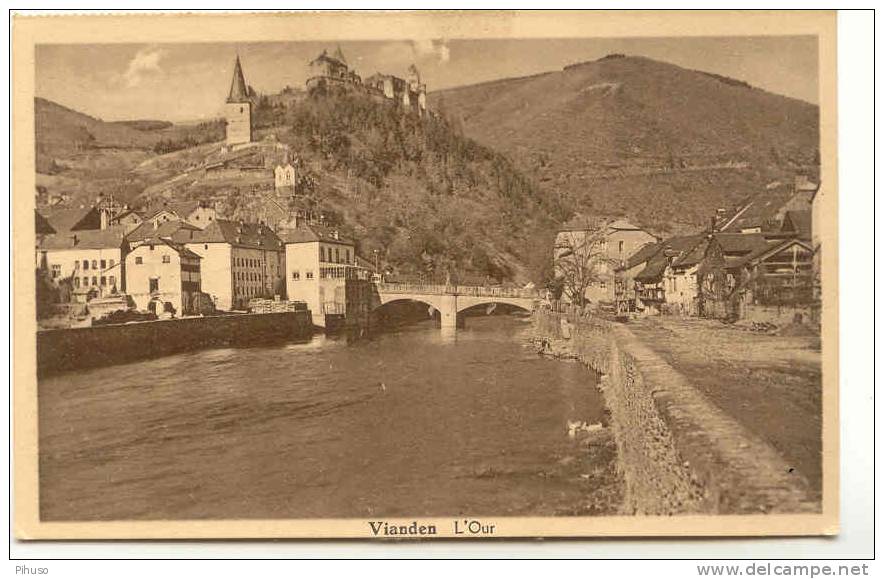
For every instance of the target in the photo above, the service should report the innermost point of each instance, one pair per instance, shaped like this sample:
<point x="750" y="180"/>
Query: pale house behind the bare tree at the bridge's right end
<point x="616" y="241"/>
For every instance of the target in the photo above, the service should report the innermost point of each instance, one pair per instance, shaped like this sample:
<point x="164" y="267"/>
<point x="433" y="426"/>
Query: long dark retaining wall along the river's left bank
<point x="77" y="348"/>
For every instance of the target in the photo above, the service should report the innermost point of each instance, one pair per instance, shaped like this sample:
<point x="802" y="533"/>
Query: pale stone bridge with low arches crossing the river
<point x="451" y="300"/>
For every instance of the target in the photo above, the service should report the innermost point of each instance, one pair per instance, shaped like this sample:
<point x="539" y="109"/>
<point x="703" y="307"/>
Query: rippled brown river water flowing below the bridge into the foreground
<point x="415" y="421"/>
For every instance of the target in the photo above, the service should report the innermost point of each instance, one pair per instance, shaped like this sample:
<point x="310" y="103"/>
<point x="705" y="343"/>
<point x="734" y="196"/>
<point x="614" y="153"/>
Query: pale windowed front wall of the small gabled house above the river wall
<point x="168" y="275"/>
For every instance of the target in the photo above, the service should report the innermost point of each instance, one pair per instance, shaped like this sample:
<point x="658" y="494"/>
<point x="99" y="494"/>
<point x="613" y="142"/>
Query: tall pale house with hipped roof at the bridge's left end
<point x="321" y="270"/>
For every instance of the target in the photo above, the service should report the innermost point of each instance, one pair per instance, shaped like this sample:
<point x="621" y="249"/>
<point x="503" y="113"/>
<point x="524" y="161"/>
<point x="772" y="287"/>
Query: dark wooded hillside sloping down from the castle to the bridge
<point x="429" y="200"/>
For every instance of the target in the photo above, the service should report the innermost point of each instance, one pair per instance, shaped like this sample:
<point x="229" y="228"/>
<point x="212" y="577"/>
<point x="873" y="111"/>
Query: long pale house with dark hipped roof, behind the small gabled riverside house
<point x="240" y="261"/>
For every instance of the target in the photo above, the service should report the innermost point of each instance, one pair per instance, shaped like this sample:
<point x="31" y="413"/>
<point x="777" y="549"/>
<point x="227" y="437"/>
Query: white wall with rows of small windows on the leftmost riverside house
<point x="67" y="262"/>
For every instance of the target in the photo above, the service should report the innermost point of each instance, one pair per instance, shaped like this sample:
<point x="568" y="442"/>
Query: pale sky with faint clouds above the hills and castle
<point x="189" y="82"/>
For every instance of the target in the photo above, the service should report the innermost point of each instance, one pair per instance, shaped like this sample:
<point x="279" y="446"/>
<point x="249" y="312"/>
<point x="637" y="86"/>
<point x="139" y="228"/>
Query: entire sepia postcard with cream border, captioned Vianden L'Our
<point x="449" y="283"/>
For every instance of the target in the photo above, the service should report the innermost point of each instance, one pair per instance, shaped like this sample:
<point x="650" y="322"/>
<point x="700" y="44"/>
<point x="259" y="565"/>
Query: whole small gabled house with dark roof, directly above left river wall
<point x="163" y="277"/>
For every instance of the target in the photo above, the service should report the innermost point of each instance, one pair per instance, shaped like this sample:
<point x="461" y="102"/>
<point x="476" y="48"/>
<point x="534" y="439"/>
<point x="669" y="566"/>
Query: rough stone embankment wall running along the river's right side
<point x="678" y="451"/>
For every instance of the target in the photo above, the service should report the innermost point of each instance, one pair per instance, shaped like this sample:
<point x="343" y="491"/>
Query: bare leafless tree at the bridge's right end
<point x="579" y="256"/>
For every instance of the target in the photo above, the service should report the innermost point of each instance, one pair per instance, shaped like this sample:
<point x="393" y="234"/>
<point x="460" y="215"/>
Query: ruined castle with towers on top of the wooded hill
<point x="331" y="71"/>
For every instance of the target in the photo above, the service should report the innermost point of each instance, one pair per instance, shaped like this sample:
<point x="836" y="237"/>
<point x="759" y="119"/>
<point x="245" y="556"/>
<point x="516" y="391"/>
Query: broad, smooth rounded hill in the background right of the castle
<point x="632" y="136"/>
